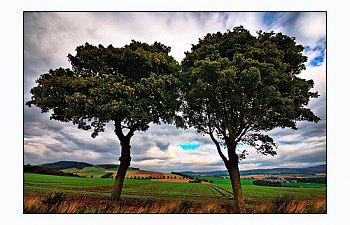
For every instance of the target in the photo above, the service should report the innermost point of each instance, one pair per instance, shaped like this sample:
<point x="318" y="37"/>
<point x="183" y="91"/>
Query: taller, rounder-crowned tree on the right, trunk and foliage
<point x="237" y="86"/>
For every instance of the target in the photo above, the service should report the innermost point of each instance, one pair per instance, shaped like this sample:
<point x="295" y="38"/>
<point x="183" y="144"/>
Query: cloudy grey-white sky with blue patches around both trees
<point x="50" y="37"/>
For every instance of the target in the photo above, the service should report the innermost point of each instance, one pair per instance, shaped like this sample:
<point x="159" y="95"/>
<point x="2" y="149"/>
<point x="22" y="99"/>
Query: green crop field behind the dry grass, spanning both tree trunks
<point x="154" y="190"/>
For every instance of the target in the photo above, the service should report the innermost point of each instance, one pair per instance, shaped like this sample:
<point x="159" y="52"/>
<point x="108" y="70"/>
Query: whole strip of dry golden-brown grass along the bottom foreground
<point x="57" y="203"/>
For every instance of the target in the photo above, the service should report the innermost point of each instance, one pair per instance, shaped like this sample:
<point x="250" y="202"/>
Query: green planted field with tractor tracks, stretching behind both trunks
<point x="45" y="184"/>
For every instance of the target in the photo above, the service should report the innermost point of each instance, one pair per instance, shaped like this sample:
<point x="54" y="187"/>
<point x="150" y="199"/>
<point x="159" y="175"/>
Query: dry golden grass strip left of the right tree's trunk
<point x="58" y="203"/>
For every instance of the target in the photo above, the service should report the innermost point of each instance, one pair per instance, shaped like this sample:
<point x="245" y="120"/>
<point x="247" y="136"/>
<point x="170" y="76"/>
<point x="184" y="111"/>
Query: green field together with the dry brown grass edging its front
<point x="92" y="195"/>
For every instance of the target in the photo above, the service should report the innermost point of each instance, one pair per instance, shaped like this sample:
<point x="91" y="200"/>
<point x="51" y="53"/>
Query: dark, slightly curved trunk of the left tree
<point x="125" y="160"/>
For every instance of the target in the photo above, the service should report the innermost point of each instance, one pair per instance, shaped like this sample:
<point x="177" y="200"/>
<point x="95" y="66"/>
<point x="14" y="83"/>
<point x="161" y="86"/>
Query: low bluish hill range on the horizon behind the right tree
<point x="275" y="171"/>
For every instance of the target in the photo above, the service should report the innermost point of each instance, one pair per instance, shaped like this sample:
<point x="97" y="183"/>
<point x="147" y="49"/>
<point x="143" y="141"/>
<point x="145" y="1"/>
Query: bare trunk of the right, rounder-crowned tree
<point x="233" y="170"/>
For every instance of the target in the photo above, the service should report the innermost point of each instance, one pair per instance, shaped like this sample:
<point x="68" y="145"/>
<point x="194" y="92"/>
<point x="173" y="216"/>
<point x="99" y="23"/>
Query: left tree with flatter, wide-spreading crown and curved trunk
<point x="131" y="86"/>
